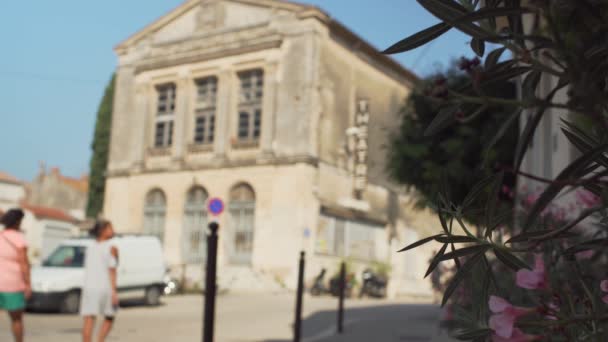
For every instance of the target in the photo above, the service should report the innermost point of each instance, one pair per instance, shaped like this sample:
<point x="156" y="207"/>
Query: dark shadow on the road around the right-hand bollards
<point x="398" y="322"/>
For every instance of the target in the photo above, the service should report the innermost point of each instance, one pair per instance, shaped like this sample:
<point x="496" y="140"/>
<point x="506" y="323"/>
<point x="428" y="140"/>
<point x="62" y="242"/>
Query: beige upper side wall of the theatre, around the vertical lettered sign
<point x="347" y="76"/>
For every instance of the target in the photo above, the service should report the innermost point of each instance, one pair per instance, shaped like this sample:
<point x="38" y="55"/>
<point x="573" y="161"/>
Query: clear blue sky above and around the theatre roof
<point x="57" y="58"/>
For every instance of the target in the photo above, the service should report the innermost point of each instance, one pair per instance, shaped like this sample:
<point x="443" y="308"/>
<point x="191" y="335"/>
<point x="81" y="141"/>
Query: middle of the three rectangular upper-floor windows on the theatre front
<point x="204" y="128"/>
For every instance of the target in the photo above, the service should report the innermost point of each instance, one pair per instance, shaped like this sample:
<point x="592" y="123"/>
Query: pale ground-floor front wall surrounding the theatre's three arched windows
<point x="284" y="207"/>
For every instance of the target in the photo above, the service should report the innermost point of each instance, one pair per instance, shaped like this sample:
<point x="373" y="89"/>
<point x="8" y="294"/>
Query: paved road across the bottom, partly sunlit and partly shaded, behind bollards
<point x="251" y="318"/>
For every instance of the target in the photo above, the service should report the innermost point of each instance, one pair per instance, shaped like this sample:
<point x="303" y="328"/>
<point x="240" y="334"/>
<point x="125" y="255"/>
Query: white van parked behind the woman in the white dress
<point x="58" y="282"/>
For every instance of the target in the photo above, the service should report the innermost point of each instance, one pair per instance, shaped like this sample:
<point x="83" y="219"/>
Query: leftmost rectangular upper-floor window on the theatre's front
<point x="165" y="110"/>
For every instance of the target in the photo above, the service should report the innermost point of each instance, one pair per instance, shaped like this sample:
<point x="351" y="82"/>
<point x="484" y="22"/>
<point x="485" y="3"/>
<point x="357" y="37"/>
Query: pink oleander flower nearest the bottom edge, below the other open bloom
<point x="504" y="315"/>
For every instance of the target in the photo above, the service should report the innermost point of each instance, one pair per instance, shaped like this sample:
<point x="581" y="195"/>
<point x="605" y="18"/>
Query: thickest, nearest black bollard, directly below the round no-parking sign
<point x="210" y="286"/>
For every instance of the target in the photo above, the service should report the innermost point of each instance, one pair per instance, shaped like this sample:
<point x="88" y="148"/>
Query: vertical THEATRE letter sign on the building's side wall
<point x="362" y="125"/>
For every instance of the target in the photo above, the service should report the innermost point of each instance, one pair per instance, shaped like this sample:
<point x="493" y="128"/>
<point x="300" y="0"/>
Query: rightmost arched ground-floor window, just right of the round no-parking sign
<point x="242" y="219"/>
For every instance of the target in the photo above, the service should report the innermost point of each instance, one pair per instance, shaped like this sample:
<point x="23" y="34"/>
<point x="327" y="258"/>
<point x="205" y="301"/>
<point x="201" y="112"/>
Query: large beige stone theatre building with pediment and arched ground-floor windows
<point x="282" y="112"/>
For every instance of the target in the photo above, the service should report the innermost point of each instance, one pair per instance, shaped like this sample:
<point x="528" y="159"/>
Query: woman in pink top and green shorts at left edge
<point x="15" y="286"/>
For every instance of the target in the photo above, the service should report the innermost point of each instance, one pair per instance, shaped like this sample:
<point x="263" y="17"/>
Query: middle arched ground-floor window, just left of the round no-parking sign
<point x="195" y="226"/>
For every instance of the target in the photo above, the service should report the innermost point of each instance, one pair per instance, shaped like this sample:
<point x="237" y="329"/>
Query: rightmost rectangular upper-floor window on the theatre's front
<point x="251" y="93"/>
